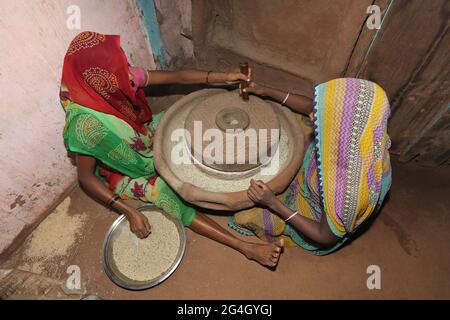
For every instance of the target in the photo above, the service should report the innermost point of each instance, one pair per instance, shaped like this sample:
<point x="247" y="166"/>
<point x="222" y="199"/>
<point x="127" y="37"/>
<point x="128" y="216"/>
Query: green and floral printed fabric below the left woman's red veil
<point x="125" y="158"/>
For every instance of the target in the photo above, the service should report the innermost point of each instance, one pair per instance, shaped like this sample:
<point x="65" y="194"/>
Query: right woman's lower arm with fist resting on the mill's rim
<point x="318" y="232"/>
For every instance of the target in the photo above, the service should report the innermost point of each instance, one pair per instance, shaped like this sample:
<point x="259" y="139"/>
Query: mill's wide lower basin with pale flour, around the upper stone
<point x="208" y="187"/>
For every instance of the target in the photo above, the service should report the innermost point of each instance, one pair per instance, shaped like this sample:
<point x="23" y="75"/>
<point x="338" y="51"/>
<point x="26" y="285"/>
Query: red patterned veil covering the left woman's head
<point x="95" y="75"/>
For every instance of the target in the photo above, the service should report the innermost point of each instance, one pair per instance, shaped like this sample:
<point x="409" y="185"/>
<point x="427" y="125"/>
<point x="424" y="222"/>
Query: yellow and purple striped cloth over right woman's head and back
<point x="354" y="172"/>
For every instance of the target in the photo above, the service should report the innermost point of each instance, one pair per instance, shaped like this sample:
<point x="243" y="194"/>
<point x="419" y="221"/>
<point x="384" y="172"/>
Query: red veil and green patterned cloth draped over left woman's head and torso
<point x="95" y="92"/>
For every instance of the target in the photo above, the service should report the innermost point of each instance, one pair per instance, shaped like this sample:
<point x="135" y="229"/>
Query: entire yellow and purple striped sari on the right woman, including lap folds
<point x="346" y="171"/>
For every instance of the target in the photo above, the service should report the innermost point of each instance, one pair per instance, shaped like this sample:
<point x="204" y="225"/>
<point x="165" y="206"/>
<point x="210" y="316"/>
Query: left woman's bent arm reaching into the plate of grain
<point x="95" y="188"/>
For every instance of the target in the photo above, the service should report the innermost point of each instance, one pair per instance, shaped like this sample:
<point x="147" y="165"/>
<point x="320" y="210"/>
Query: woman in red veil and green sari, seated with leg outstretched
<point x="109" y="127"/>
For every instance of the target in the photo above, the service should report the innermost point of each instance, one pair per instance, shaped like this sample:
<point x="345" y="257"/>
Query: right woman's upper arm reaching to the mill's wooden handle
<point x="298" y="103"/>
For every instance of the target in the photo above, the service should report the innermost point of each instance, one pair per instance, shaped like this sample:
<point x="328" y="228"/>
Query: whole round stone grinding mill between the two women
<point x="205" y="182"/>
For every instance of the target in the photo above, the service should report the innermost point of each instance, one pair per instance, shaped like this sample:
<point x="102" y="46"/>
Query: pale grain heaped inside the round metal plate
<point x="146" y="259"/>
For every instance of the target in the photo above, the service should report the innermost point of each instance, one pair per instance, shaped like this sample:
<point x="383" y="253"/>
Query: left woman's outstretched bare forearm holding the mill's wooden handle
<point x="192" y="77"/>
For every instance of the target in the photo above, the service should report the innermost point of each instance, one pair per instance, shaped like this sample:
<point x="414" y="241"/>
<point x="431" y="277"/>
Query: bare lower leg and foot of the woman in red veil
<point x="266" y="254"/>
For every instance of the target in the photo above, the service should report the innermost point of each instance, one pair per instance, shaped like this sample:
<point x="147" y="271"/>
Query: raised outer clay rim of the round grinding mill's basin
<point x="231" y="201"/>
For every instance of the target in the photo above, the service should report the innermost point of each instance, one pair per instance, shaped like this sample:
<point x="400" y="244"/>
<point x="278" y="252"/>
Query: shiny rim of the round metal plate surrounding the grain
<point x="108" y="261"/>
